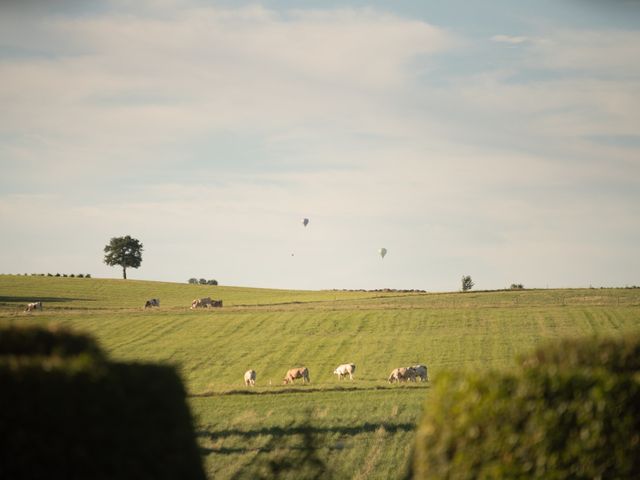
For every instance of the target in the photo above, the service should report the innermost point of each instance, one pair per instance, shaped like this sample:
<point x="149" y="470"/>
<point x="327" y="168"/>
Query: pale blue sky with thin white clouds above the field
<point x="494" y="139"/>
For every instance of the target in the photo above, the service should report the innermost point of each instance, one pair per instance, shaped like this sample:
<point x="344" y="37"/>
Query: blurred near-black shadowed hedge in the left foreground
<point x="79" y="416"/>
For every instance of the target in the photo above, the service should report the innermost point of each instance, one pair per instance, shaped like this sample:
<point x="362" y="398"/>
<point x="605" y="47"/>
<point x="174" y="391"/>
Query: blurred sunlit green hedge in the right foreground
<point x="571" y="410"/>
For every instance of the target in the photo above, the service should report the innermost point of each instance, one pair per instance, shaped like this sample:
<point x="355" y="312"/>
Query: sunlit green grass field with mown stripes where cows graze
<point x="363" y="429"/>
